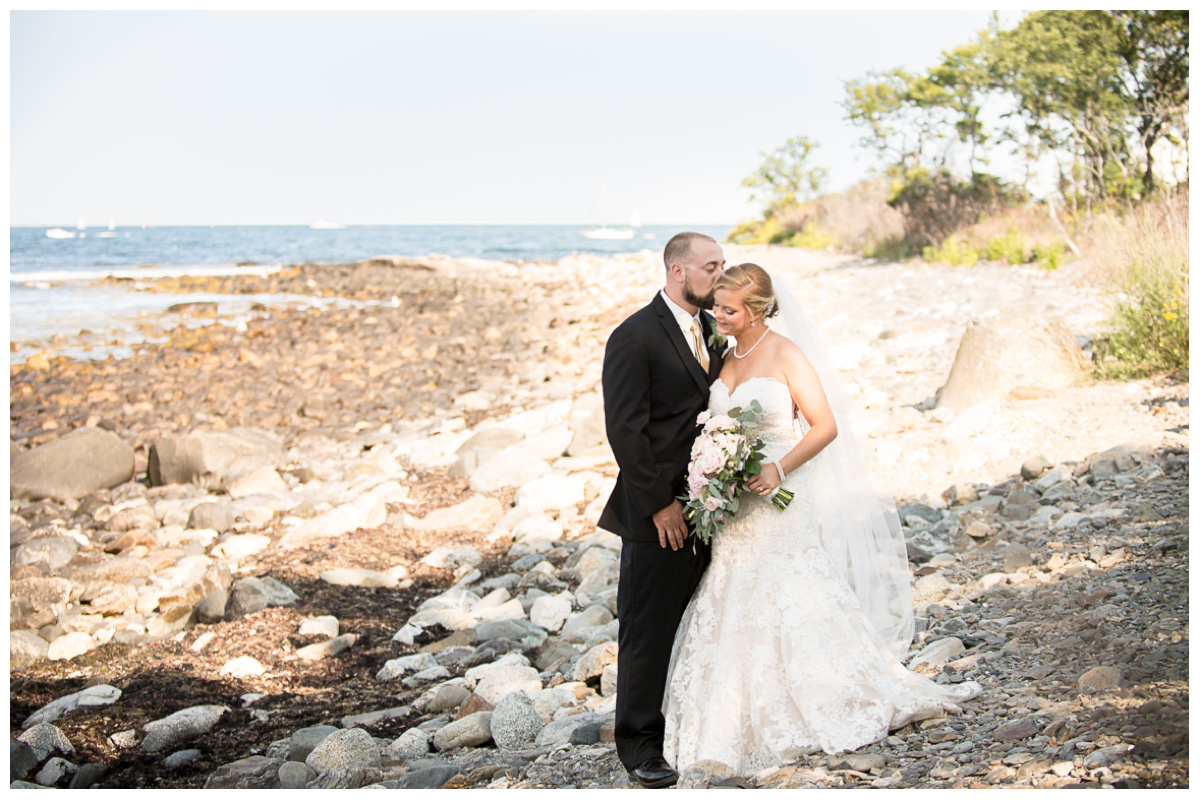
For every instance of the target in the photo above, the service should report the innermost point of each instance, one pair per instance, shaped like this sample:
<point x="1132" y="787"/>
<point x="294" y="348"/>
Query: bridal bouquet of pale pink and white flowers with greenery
<point x="724" y="458"/>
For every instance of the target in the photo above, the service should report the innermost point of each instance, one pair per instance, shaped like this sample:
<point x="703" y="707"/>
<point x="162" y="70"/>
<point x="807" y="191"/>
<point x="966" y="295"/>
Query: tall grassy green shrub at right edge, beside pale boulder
<point x="1147" y="263"/>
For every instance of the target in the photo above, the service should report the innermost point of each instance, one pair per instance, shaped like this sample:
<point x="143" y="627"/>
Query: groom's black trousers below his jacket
<point x="655" y="590"/>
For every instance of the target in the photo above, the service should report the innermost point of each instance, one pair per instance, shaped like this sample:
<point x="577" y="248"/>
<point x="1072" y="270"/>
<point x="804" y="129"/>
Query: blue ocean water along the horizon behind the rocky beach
<point x="52" y="296"/>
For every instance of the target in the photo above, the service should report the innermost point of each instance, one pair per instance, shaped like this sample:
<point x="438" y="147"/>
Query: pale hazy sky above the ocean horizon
<point x="407" y="117"/>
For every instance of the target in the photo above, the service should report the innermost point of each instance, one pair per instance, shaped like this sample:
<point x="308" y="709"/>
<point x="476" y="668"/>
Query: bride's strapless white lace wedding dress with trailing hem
<point x="775" y="659"/>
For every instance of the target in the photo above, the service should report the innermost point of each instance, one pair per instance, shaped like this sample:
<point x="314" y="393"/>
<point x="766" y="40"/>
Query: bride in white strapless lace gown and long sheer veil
<point x="793" y="642"/>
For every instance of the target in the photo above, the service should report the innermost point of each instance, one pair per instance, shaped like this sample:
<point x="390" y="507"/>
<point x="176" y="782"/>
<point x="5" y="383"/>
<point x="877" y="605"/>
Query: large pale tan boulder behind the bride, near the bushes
<point x="1007" y="352"/>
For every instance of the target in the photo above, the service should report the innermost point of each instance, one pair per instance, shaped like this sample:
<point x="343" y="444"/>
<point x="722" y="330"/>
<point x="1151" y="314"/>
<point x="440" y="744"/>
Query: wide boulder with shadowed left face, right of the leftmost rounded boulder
<point x="213" y="459"/>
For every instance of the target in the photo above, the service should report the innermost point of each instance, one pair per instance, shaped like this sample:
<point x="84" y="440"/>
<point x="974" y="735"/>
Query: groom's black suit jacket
<point x="653" y="390"/>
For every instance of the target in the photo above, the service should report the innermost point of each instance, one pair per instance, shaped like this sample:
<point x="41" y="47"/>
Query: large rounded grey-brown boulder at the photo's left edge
<point x="82" y="462"/>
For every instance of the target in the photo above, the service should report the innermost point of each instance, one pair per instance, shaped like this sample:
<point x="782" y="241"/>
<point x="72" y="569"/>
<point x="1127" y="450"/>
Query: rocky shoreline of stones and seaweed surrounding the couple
<point x="356" y="545"/>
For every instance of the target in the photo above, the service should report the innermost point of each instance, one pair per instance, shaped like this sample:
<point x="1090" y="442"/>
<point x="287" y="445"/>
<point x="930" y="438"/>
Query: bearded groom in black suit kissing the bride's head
<point x="658" y="369"/>
